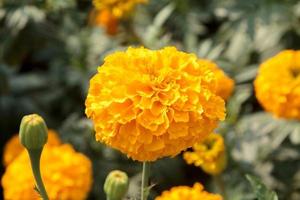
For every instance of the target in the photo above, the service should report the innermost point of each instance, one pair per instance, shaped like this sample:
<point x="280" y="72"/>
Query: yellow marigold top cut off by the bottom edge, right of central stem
<point x="188" y="193"/>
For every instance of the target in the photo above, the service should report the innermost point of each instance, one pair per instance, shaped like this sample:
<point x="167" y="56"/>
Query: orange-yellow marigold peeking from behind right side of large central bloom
<point x="225" y="84"/>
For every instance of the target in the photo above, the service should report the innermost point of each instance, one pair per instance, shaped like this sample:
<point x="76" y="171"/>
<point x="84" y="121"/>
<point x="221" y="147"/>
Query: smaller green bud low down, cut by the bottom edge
<point x="116" y="185"/>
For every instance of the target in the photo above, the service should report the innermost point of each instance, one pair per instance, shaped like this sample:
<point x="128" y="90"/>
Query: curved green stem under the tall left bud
<point x="35" y="156"/>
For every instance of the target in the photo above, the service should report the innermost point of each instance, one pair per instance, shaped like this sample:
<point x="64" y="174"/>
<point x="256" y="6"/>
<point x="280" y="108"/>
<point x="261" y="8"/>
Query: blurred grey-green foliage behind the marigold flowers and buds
<point x="49" y="49"/>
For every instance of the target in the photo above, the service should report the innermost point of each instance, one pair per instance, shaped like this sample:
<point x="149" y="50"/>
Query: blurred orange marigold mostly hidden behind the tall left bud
<point x="13" y="147"/>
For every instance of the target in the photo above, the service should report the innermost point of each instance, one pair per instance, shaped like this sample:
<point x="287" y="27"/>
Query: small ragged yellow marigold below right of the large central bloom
<point x="210" y="154"/>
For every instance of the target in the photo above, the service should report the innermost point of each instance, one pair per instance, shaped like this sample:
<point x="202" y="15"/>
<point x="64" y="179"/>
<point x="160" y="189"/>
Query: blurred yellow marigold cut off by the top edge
<point x="118" y="8"/>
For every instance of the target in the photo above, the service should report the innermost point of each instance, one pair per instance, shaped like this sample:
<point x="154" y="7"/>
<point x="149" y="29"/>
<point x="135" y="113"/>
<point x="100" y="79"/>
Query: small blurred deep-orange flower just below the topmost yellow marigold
<point x="105" y="19"/>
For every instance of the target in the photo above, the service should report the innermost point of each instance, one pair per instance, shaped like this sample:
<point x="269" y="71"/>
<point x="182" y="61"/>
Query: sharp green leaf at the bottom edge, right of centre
<point x="260" y="190"/>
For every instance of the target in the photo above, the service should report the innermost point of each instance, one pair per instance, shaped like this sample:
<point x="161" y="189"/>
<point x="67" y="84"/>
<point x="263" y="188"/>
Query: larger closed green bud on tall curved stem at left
<point x="33" y="132"/>
